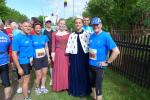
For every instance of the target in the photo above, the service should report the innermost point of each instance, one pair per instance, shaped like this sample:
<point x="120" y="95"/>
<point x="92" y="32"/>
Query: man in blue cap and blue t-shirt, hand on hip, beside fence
<point x="100" y="44"/>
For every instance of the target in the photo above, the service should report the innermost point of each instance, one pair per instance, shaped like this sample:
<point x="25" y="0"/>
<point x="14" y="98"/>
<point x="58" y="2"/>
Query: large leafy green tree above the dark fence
<point x="120" y="13"/>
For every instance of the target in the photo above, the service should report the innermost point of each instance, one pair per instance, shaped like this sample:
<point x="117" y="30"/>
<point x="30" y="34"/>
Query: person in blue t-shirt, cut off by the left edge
<point x="4" y="60"/>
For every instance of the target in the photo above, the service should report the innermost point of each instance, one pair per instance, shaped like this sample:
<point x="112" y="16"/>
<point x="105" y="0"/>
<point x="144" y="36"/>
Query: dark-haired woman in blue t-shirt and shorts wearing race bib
<point x="40" y="58"/>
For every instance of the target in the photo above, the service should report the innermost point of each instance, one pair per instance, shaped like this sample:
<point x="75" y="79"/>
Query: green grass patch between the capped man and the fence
<point x="115" y="87"/>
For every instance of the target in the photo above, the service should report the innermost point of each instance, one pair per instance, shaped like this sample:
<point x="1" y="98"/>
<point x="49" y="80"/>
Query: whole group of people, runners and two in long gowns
<point x="76" y="59"/>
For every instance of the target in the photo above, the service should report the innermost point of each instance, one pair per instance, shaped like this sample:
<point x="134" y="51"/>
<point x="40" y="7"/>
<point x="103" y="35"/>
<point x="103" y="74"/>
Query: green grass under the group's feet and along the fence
<point x="115" y="87"/>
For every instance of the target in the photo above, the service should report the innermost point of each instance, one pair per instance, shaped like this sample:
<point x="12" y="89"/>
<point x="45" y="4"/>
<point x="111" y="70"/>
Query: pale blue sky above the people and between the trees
<point x="34" y="8"/>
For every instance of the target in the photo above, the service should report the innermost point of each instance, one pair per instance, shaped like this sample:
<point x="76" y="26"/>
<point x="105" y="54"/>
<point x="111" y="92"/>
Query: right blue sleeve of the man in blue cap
<point x="110" y="42"/>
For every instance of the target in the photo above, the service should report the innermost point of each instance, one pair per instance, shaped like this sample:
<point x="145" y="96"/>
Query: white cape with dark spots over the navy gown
<point x="72" y="46"/>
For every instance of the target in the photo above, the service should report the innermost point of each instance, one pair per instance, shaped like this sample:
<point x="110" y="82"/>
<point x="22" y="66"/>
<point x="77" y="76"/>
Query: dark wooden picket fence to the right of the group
<point x="134" y="60"/>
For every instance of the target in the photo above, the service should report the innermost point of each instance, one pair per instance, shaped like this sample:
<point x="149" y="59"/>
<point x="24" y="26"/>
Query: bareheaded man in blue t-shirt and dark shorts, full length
<point x="22" y="55"/>
